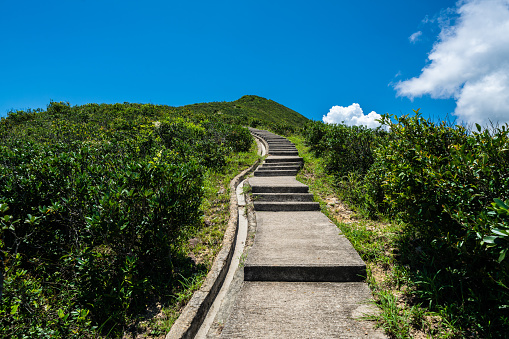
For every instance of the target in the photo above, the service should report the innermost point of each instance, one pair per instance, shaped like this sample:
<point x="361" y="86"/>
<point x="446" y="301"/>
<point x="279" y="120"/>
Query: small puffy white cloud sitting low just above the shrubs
<point x="351" y="116"/>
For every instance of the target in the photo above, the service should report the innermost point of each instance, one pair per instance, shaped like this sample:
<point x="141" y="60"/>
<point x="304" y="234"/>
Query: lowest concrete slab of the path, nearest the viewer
<point x="301" y="310"/>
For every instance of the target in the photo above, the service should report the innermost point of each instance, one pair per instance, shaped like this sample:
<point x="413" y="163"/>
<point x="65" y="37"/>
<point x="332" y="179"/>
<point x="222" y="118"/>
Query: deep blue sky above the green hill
<point x="317" y="58"/>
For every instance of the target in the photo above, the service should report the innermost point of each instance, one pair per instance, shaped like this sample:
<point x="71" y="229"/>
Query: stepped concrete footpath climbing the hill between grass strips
<point x="301" y="278"/>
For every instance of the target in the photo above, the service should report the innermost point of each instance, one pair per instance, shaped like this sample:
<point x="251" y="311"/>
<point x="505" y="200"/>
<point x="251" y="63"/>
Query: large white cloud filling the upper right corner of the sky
<point x="470" y="63"/>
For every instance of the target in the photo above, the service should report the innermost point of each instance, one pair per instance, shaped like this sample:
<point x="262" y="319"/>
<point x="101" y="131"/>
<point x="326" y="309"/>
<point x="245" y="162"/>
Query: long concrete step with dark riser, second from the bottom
<point x="301" y="246"/>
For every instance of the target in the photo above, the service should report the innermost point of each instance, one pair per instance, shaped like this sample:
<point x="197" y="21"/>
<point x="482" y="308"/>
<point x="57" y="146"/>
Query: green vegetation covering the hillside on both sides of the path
<point x="108" y="210"/>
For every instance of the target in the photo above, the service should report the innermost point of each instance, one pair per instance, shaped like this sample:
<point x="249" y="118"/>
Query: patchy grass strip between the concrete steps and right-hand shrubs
<point x="379" y="244"/>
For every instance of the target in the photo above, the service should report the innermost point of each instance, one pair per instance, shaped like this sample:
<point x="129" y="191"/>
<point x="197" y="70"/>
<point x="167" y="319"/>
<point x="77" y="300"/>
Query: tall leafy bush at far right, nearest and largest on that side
<point x="440" y="180"/>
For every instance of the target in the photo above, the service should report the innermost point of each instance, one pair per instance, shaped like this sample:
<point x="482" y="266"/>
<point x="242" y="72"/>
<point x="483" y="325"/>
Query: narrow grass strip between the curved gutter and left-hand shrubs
<point x="201" y="244"/>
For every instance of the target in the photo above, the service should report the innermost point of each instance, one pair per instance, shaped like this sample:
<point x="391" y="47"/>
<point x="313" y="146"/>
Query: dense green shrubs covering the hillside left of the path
<point x="97" y="203"/>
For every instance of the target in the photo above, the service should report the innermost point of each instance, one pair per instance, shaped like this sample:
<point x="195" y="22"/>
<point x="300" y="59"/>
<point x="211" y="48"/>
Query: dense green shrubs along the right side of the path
<point x="447" y="185"/>
